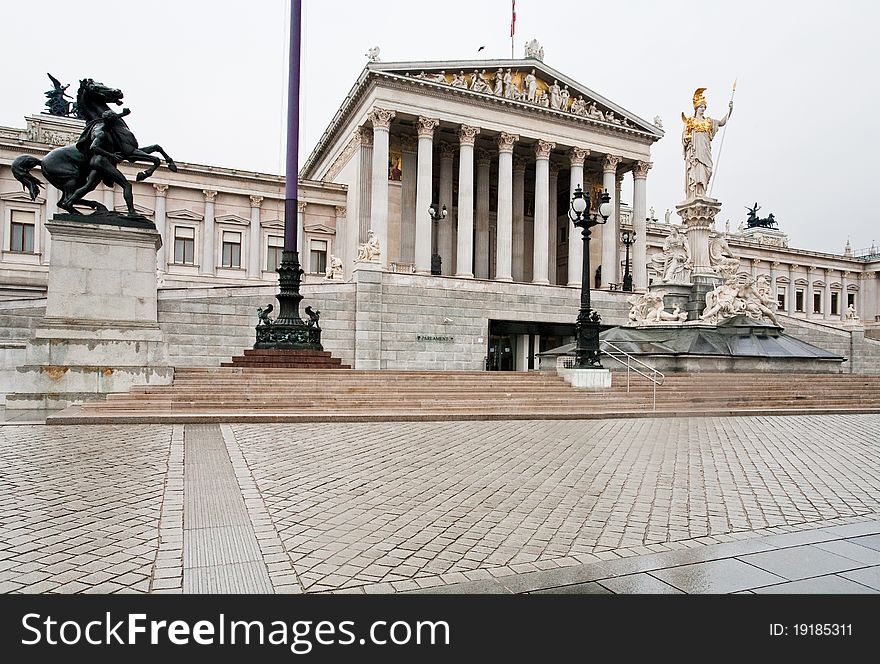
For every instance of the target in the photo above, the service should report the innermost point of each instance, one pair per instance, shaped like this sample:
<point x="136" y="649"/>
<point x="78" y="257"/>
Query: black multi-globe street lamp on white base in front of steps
<point x="587" y="326"/>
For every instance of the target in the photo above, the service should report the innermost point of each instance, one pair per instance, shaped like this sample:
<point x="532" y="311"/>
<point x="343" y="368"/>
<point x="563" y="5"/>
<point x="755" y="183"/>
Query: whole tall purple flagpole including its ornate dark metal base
<point x="288" y="331"/>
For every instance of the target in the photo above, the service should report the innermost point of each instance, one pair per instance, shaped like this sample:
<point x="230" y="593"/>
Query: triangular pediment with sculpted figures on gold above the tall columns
<point x="523" y="83"/>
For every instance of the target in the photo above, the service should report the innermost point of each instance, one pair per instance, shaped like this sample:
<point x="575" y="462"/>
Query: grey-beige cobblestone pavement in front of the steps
<point x="387" y="507"/>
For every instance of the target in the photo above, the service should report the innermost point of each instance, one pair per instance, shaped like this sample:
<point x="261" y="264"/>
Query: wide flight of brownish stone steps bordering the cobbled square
<point x="283" y="395"/>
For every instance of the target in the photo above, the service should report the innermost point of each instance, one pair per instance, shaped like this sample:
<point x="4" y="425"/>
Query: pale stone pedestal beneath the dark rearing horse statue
<point x="101" y="333"/>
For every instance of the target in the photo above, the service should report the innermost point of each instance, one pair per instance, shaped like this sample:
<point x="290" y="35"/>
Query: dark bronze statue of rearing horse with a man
<point x="76" y="170"/>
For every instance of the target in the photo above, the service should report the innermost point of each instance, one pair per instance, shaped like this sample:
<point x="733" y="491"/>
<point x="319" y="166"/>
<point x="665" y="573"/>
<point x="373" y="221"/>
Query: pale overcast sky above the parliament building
<point x="206" y="80"/>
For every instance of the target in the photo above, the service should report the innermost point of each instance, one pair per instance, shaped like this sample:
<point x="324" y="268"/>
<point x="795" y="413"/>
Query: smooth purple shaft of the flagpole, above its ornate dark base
<point x="292" y="173"/>
